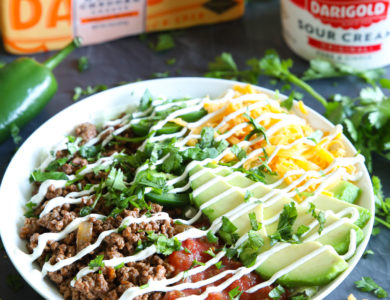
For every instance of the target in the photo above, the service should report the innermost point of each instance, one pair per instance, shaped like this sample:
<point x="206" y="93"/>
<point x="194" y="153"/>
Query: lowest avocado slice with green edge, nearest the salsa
<point x="318" y="270"/>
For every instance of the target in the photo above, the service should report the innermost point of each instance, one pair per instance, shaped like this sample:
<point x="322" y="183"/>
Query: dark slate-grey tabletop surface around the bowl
<point x="131" y="59"/>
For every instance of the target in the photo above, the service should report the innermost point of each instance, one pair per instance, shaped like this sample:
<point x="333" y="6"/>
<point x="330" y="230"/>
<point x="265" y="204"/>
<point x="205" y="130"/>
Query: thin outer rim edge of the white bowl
<point x="323" y="291"/>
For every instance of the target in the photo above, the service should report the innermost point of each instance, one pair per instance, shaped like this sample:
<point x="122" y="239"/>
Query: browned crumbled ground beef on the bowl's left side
<point x="109" y="283"/>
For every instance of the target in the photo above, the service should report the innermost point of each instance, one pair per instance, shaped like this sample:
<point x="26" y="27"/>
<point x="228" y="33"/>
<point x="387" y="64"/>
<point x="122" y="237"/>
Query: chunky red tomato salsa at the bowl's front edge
<point x="195" y="250"/>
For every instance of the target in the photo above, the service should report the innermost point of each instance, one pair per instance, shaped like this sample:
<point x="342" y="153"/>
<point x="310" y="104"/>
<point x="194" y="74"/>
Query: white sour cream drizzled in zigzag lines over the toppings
<point x="267" y="199"/>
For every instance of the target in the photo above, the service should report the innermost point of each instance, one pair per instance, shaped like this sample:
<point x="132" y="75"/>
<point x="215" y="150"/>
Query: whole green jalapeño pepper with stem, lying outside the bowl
<point x="26" y="86"/>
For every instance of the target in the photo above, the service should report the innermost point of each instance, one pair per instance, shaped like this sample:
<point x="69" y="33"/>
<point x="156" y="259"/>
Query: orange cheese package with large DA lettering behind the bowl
<point x="30" y="26"/>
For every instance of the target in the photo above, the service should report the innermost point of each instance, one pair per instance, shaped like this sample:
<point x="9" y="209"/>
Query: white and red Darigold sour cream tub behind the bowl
<point x="352" y="32"/>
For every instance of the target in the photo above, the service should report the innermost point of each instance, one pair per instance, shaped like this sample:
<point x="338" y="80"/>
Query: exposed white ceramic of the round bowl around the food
<point x="16" y="190"/>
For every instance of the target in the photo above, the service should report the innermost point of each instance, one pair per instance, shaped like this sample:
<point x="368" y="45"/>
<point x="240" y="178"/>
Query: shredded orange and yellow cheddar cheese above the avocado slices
<point x="301" y="156"/>
